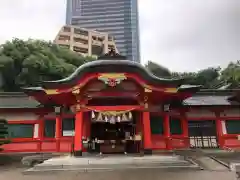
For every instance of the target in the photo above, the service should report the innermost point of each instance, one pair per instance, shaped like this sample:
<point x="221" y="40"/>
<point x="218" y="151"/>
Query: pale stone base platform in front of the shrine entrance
<point x="88" y="164"/>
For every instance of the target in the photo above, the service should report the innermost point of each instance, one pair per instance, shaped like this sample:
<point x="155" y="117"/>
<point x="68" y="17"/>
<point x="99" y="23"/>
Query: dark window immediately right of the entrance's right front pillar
<point x="156" y="123"/>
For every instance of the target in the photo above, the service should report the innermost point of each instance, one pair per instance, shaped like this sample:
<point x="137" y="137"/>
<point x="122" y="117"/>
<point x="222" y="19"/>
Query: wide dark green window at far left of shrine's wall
<point x="20" y="130"/>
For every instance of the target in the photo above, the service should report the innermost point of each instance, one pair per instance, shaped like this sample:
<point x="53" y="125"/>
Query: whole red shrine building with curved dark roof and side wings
<point x="113" y="105"/>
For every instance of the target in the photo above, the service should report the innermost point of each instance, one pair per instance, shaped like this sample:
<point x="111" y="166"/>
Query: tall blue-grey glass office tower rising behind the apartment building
<point x="116" y="17"/>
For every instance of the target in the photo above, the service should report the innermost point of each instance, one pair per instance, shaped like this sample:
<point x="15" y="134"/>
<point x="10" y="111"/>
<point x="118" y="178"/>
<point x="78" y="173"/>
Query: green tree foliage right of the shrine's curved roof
<point x="213" y="77"/>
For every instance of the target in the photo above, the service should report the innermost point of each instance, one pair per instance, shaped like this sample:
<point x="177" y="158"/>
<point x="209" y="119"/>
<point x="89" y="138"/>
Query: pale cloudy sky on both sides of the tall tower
<point x="183" y="35"/>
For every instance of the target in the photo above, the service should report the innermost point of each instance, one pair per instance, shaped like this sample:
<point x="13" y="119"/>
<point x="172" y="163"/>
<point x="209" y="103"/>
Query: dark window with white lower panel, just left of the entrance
<point x="68" y="126"/>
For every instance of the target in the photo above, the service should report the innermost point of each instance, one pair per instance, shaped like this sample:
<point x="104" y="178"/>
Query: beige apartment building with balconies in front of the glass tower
<point x="84" y="41"/>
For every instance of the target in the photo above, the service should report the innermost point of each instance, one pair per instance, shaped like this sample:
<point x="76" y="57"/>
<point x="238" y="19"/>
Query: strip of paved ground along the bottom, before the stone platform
<point x="153" y="174"/>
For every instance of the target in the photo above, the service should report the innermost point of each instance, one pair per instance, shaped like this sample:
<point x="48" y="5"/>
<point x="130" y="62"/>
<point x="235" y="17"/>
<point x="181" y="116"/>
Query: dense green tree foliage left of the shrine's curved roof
<point x="26" y="63"/>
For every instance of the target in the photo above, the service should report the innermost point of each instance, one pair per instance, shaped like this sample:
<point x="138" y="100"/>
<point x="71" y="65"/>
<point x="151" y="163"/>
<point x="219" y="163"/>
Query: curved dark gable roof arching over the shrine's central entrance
<point x="113" y="66"/>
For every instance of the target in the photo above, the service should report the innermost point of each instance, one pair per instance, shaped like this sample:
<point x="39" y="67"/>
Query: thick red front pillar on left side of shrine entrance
<point x="78" y="145"/>
